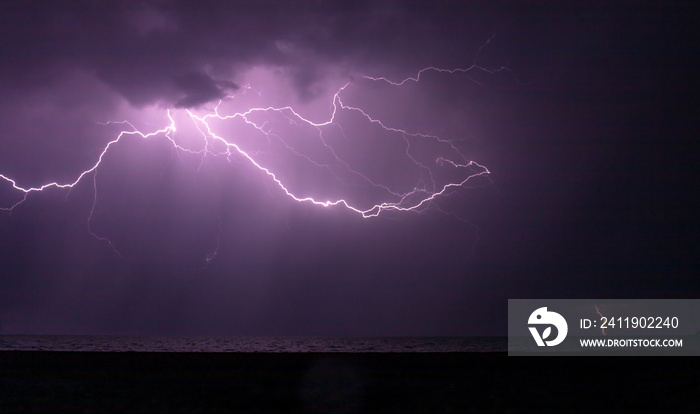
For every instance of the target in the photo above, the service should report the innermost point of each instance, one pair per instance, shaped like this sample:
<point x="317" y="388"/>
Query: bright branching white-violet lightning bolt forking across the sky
<point x="215" y="144"/>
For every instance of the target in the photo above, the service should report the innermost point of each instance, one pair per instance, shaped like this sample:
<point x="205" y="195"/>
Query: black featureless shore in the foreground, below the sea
<point x="316" y="382"/>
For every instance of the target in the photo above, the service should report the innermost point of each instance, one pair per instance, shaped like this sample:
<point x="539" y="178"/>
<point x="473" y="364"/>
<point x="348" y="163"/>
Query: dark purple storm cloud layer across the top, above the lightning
<point x="138" y="48"/>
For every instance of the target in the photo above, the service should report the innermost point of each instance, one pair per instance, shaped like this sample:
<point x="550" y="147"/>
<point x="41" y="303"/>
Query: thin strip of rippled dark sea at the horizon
<point x="103" y="343"/>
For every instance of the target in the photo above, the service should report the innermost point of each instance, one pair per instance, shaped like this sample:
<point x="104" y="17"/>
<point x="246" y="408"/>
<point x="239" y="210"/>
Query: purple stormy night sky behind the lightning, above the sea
<point x="585" y="118"/>
